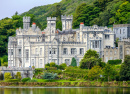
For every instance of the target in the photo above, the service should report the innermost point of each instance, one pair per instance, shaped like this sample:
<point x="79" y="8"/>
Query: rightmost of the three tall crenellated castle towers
<point x="66" y="22"/>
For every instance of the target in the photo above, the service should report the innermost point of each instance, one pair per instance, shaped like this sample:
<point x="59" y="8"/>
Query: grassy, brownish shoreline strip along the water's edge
<point x="65" y="84"/>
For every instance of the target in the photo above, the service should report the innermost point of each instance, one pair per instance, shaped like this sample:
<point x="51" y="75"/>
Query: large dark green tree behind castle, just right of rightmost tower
<point x="85" y="13"/>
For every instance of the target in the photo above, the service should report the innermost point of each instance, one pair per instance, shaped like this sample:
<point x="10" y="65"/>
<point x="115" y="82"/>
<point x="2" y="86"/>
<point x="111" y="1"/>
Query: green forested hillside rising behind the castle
<point x="100" y="12"/>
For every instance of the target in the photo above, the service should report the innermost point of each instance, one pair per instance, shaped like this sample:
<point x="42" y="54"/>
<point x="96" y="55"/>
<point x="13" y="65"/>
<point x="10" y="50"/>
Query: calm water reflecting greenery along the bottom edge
<point x="62" y="90"/>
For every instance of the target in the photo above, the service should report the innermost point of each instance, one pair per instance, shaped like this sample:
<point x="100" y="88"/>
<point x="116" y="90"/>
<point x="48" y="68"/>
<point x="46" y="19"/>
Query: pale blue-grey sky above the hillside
<point x="9" y="7"/>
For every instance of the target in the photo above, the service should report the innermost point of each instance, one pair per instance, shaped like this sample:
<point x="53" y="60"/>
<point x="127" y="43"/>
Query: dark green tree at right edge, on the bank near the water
<point x="125" y="69"/>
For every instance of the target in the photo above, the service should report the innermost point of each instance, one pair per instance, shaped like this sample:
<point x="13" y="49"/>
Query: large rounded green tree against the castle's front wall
<point x="90" y="59"/>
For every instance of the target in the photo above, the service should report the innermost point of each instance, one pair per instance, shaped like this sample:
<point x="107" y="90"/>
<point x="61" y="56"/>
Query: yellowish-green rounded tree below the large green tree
<point x="94" y="73"/>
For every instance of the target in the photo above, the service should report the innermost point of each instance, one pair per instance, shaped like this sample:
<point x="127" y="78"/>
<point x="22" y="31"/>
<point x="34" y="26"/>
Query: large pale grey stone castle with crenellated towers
<point x="33" y="47"/>
